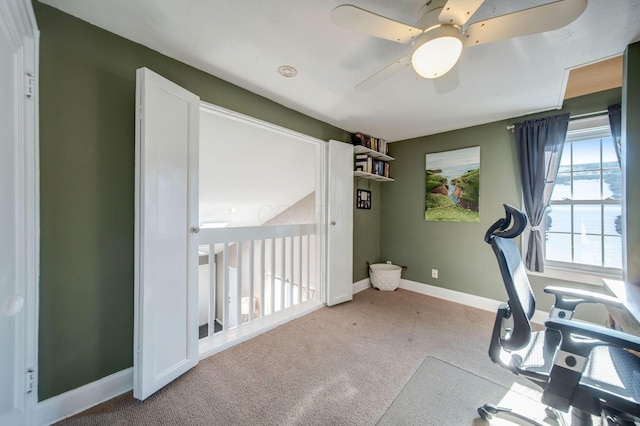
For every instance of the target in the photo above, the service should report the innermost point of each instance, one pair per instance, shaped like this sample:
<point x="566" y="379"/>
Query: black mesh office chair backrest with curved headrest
<point x="522" y="302"/>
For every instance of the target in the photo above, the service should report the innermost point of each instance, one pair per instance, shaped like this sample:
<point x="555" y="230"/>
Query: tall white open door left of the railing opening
<point x="166" y="267"/>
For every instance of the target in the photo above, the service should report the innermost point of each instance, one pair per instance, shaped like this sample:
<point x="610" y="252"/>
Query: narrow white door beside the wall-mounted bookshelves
<point x="340" y="227"/>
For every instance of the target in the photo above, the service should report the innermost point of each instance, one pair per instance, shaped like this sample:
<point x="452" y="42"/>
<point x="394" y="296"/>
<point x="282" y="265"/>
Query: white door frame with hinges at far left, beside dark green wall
<point x="22" y="32"/>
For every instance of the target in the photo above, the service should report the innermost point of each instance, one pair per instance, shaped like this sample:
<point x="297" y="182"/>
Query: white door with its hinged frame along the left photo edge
<point x="18" y="212"/>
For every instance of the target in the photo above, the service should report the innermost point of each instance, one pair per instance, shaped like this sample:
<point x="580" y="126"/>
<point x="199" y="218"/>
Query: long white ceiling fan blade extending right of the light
<point x="529" y="21"/>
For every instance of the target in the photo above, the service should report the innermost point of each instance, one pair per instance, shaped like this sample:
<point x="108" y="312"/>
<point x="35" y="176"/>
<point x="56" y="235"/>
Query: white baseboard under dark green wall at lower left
<point x="77" y="400"/>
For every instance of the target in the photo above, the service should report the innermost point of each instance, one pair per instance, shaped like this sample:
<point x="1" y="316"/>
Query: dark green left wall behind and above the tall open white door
<point x="87" y="138"/>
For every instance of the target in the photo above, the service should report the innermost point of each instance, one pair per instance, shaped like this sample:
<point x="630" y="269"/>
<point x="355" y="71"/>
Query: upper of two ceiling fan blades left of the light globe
<point x="353" y="17"/>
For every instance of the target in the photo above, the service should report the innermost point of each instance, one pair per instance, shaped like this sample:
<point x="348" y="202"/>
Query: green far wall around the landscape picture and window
<point x="457" y="250"/>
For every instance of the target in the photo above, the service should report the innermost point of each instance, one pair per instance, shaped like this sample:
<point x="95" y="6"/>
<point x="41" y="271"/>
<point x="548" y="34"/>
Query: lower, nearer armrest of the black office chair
<point x="602" y="334"/>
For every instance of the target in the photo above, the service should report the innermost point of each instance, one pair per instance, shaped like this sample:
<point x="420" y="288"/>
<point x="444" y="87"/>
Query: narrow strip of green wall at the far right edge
<point x="631" y="150"/>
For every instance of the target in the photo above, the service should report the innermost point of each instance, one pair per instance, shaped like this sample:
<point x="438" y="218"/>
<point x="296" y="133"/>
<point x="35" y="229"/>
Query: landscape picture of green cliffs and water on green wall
<point x="453" y="186"/>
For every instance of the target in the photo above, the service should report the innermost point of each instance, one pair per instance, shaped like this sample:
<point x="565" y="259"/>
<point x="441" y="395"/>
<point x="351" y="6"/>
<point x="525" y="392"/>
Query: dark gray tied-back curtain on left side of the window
<point x="539" y="144"/>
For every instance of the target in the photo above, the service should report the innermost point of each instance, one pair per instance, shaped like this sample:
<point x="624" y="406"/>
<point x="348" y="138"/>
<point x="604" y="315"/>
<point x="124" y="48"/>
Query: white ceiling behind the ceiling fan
<point x="244" y="42"/>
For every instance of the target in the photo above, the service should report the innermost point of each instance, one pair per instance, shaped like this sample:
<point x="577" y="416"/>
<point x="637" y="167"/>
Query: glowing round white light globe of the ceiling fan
<point x="437" y="51"/>
